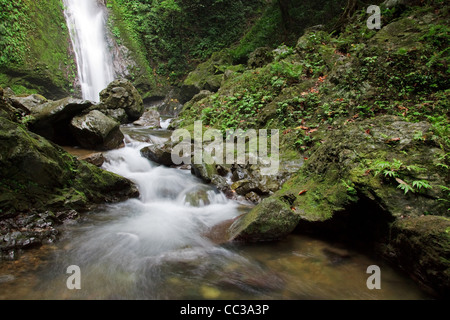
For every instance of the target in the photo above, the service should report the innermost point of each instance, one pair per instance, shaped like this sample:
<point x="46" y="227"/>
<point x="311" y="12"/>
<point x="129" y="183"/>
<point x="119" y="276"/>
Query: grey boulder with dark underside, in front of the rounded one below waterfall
<point x="96" y="131"/>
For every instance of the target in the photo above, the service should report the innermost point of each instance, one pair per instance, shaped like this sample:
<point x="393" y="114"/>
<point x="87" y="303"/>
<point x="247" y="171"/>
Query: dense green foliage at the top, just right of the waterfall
<point x="173" y="34"/>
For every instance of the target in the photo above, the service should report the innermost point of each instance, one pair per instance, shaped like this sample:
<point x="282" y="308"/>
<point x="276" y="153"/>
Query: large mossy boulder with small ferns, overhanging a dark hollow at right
<point x="383" y="163"/>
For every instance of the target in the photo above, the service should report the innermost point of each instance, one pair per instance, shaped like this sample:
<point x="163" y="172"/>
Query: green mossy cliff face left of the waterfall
<point x="35" y="48"/>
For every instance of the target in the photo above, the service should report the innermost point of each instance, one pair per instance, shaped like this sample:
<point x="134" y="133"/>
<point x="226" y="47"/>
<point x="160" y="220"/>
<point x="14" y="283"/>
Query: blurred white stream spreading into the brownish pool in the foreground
<point x="160" y="247"/>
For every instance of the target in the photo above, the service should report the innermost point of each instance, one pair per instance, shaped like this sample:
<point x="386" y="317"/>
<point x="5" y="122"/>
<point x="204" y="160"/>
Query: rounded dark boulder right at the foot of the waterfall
<point x="121" y="94"/>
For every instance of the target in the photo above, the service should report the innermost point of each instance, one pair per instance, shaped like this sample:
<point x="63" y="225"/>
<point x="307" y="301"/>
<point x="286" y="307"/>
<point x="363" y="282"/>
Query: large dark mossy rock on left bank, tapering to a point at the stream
<point x="36" y="173"/>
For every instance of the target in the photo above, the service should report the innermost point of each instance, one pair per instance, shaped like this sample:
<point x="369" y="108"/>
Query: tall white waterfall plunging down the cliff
<point x="86" y="20"/>
